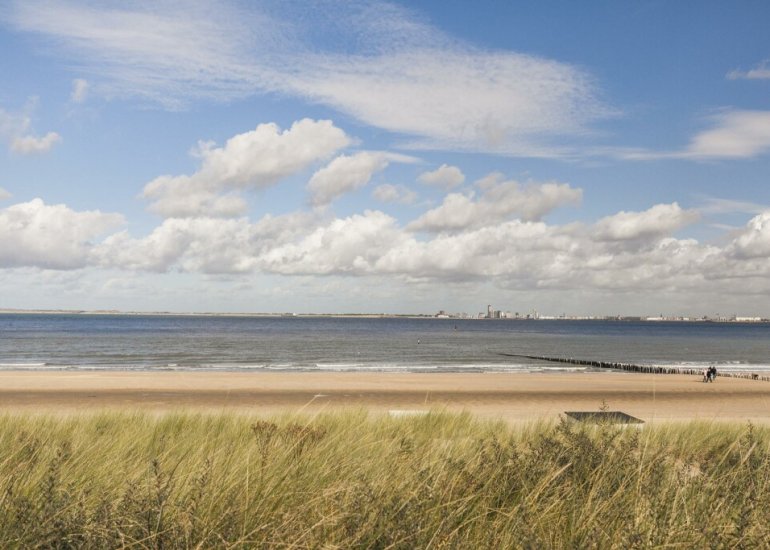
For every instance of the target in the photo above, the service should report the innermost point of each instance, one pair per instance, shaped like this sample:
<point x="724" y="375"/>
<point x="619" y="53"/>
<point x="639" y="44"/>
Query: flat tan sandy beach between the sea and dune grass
<point x="513" y="397"/>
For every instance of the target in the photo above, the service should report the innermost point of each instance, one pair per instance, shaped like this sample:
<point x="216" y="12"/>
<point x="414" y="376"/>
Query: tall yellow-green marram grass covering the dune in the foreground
<point x="358" y="480"/>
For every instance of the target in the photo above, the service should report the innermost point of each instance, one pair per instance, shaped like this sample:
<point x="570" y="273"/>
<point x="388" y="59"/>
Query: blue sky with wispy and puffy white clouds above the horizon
<point x="578" y="158"/>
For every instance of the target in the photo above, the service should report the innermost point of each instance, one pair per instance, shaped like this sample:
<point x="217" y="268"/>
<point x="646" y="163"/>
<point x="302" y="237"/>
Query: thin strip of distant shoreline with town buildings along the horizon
<point x="613" y="318"/>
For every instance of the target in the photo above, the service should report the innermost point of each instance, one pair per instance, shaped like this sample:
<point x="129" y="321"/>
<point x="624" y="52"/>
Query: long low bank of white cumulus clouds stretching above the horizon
<point x="628" y="251"/>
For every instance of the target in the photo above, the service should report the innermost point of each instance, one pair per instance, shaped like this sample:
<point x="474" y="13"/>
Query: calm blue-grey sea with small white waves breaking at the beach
<point x="128" y="342"/>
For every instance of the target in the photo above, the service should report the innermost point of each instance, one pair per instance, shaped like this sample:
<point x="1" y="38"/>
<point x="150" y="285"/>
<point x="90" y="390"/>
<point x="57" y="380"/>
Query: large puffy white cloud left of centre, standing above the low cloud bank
<point x="254" y="159"/>
